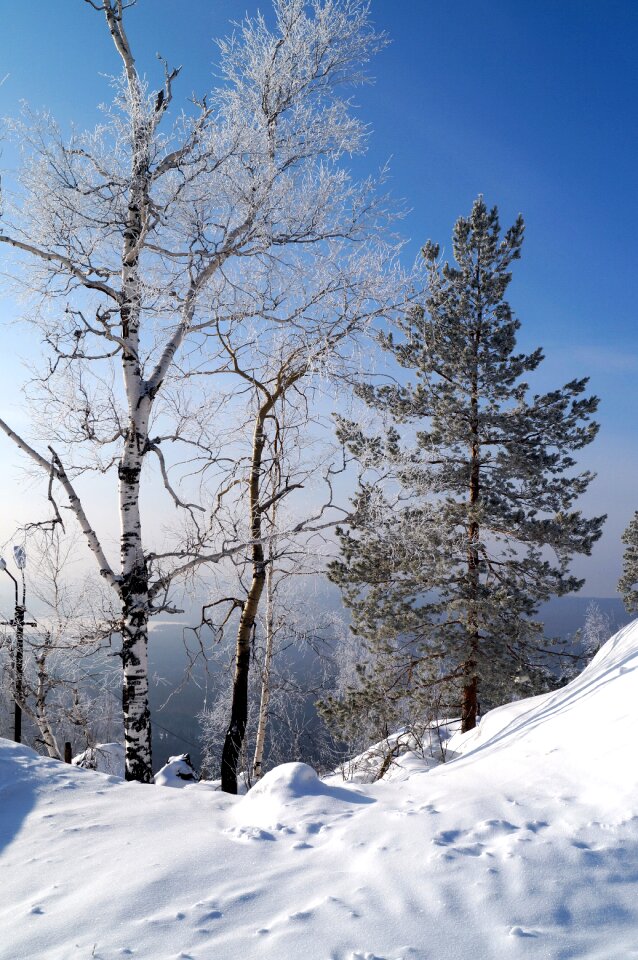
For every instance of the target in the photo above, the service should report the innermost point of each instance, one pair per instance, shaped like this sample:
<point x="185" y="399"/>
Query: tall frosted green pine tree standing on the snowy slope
<point x="490" y="488"/>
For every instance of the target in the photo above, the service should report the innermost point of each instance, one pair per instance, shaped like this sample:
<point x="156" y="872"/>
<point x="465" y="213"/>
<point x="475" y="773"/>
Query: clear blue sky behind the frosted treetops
<point x="532" y="104"/>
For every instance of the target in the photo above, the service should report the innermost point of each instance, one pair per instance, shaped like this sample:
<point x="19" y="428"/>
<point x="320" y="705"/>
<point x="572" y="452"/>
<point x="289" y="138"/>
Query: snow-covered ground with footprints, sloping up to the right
<point x="525" y="845"/>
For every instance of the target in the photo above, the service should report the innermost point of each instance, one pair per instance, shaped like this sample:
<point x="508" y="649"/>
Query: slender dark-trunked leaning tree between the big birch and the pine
<point x="282" y="369"/>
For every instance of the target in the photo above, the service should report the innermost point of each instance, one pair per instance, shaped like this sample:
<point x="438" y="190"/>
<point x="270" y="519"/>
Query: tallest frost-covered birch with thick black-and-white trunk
<point x="136" y="238"/>
